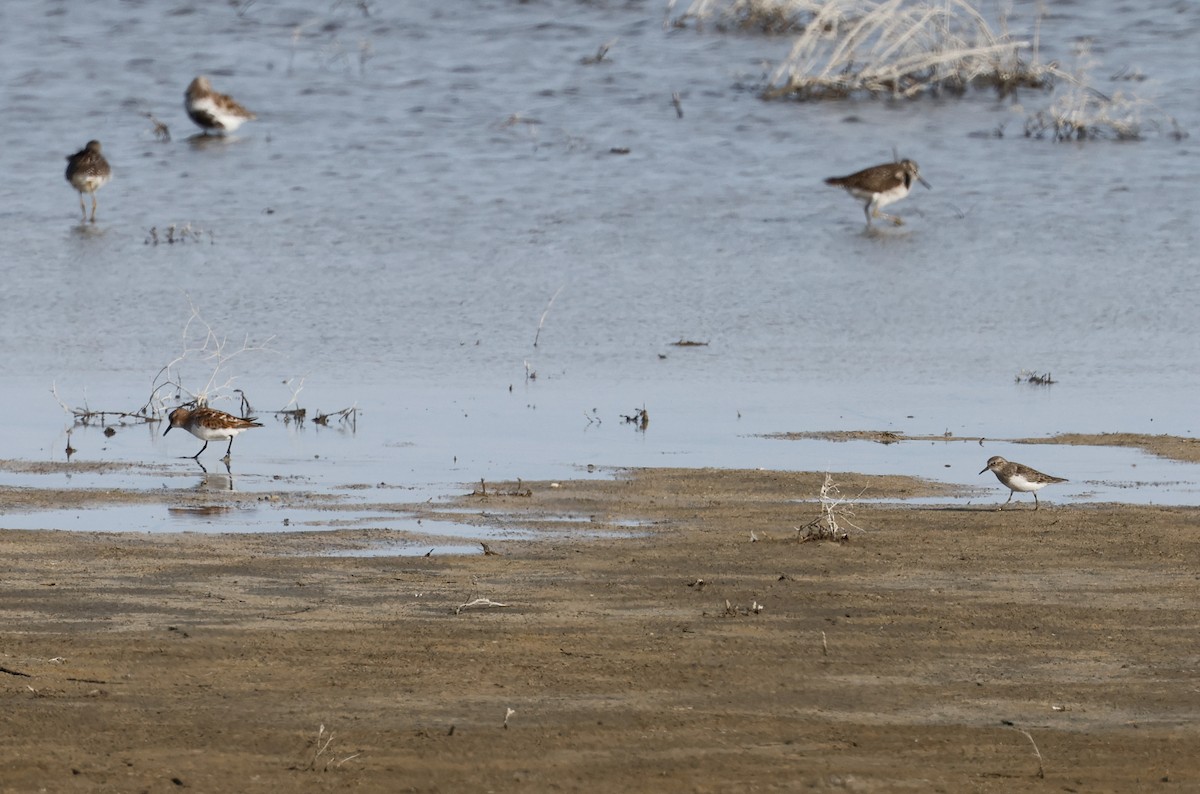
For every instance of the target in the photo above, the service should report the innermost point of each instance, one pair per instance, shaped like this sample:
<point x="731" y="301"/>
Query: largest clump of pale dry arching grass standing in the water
<point x="904" y="50"/>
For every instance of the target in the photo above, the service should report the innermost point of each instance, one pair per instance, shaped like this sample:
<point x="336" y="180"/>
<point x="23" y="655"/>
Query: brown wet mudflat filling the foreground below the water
<point x="664" y="653"/>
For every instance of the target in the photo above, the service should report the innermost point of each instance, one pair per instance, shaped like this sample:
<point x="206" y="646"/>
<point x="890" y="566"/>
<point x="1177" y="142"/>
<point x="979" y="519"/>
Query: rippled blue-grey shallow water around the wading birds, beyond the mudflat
<point x="422" y="183"/>
